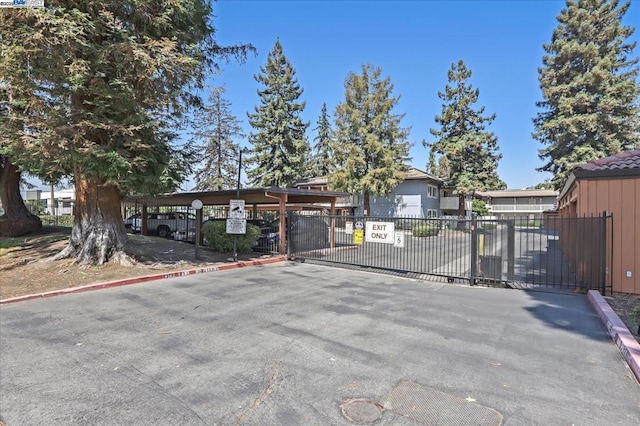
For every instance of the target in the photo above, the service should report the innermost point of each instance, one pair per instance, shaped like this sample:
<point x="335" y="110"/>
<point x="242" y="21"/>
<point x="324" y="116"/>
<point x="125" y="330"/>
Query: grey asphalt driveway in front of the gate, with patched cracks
<point x="288" y="343"/>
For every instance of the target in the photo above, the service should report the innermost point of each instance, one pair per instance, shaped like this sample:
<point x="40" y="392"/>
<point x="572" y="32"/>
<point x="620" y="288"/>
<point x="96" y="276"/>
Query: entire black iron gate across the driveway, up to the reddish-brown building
<point x="559" y="253"/>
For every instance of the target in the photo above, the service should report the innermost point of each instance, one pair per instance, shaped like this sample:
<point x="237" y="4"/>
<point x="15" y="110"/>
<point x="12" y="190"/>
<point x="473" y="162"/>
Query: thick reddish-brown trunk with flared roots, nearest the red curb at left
<point x="98" y="233"/>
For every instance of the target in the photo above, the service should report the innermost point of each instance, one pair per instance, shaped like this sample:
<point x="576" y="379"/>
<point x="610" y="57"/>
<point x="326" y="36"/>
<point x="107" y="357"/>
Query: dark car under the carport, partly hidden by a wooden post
<point x="310" y="232"/>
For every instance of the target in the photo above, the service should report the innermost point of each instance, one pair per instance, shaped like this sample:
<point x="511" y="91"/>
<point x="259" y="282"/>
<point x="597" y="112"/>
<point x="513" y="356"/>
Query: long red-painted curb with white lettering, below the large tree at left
<point x="144" y="278"/>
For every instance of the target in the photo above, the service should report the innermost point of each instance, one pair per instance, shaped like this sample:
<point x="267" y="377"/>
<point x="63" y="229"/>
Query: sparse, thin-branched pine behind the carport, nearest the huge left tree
<point x="216" y="128"/>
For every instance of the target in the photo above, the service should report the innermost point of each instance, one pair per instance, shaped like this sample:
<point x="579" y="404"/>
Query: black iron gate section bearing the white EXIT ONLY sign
<point x="435" y="247"/>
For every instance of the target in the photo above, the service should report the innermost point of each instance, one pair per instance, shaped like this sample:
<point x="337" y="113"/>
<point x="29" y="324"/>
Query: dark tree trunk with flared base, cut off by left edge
<point x="17" y="219"/>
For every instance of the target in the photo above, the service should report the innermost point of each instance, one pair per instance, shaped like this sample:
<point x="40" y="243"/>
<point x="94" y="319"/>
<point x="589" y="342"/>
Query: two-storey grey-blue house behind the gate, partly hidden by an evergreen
<point x="416" y="196"/>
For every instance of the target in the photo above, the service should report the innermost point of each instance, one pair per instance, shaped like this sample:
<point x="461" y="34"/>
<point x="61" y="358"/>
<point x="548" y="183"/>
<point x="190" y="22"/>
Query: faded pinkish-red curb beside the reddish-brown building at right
<point x="627" y="344"/>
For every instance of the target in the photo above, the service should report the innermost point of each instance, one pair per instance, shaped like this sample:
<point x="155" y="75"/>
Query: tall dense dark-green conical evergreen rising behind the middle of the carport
<point x="280" y="146"/>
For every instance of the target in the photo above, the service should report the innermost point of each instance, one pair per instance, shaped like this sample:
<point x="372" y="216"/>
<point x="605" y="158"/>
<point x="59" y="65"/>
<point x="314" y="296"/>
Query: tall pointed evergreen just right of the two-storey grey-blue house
<point x="469" y="149"/>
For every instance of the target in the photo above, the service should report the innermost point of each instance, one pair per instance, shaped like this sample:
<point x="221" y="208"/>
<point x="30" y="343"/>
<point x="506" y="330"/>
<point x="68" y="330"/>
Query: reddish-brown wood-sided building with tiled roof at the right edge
<point x="610" y="185"/>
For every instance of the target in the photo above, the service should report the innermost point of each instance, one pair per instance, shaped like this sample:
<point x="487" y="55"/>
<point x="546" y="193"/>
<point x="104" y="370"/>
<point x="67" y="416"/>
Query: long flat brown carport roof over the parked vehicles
<point x="271" y="195"/>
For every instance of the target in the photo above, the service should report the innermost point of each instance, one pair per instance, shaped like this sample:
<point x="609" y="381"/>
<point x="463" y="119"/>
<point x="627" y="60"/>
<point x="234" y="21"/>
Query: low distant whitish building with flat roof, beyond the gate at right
<point x="519" y="203"/>
